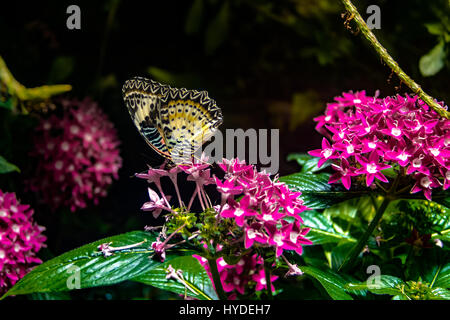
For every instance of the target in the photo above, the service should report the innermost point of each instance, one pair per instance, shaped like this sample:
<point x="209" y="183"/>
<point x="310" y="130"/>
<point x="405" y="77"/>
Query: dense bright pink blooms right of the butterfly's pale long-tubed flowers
<point x="263" y="208"/>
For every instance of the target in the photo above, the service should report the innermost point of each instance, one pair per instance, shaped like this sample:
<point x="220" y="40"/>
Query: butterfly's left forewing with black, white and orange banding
<point x="143" y="98"/>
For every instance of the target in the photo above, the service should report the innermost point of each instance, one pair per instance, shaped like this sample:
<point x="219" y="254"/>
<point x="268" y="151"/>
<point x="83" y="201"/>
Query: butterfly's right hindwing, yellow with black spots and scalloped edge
<point x="187" y="118"/>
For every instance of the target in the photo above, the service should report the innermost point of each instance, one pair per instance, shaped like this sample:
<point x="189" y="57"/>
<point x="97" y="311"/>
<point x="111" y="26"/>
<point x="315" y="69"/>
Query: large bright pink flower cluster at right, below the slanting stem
<point x="370" y="134"/>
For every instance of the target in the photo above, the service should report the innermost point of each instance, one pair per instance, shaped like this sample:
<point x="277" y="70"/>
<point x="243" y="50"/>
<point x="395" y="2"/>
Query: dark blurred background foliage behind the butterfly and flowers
<point x="268" y="64"/>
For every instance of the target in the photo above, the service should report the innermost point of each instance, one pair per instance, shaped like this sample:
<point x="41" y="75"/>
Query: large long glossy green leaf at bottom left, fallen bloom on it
<point x="93" y="269"/>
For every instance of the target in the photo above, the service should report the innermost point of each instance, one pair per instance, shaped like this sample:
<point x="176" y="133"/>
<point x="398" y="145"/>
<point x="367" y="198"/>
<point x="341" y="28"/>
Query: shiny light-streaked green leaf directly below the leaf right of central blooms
<point x="322" y="230"/>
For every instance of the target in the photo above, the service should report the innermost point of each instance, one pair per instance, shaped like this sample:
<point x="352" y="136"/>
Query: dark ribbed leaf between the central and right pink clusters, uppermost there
<point x="316" y="192"/>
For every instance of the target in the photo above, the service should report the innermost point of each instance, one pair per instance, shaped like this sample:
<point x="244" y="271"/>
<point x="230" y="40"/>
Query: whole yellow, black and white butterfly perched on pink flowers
<point x="174" y="122"/>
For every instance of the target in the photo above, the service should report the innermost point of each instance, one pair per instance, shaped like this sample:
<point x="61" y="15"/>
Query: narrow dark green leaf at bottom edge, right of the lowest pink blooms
<point x="332" y="282"/>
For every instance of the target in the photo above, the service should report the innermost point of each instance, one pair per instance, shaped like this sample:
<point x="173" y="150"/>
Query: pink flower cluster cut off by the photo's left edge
<point x="20" y="240"/>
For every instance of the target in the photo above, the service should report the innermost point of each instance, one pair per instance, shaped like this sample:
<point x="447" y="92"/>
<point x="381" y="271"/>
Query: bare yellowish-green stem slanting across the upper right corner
<point x="393" y="65"/>
